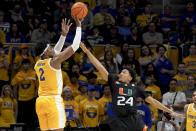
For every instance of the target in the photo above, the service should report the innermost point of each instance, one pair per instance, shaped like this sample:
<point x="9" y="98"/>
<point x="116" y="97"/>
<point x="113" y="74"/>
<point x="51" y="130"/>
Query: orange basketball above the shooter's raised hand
<point x="79" y="9"/>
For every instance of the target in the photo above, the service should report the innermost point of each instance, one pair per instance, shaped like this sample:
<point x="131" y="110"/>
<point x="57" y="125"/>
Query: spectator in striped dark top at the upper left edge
<point x="4" y="25"/>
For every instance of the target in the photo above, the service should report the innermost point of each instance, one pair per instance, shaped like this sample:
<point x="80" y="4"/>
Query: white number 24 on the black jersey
<point x="122" y="102"/>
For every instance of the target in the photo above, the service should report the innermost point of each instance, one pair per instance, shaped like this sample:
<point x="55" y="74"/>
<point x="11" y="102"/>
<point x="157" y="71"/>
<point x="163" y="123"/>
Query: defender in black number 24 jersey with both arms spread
<point x="124" y="95"/>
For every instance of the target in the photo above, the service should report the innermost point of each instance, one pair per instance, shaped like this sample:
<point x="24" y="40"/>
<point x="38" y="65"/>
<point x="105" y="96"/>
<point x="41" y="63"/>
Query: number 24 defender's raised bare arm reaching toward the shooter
<point x="96" y="63"/>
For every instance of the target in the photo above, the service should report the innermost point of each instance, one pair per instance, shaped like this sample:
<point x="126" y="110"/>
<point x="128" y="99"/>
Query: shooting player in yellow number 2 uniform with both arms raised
<point x="49" y="104"/>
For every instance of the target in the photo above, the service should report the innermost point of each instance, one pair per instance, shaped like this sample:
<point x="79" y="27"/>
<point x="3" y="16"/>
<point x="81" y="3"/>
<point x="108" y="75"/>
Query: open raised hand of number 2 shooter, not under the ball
<point x="65" y="25"/>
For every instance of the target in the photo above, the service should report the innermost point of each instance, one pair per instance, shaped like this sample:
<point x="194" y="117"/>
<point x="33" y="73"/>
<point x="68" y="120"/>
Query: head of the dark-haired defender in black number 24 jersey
<point x="127" y="75"/>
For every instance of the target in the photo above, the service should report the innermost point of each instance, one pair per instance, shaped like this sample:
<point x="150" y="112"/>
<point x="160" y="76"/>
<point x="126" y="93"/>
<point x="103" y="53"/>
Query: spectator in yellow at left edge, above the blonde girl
<point x="4" y="66"/>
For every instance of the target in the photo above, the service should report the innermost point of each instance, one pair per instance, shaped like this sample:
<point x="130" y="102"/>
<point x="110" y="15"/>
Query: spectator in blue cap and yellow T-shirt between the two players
<point x="91" y="112"/>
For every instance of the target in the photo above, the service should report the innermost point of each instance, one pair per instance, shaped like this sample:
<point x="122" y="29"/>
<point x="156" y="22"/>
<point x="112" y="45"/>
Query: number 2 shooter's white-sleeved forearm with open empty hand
<point x="65" y="25"/>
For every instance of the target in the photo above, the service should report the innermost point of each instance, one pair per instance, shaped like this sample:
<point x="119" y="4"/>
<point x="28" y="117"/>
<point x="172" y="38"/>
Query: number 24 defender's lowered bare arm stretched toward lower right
<point x="160" y="106"/>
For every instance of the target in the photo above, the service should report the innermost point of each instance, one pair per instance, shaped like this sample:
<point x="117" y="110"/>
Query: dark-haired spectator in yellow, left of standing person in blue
<point x="146" y="56"/>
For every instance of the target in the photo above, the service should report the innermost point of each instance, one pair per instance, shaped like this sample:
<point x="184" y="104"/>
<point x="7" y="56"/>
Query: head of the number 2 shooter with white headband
<point x="44" y="50"/>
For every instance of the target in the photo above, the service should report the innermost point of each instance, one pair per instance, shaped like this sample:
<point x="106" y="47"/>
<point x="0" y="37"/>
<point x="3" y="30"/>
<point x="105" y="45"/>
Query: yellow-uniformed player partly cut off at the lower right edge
<point x="190" y="114"/>
